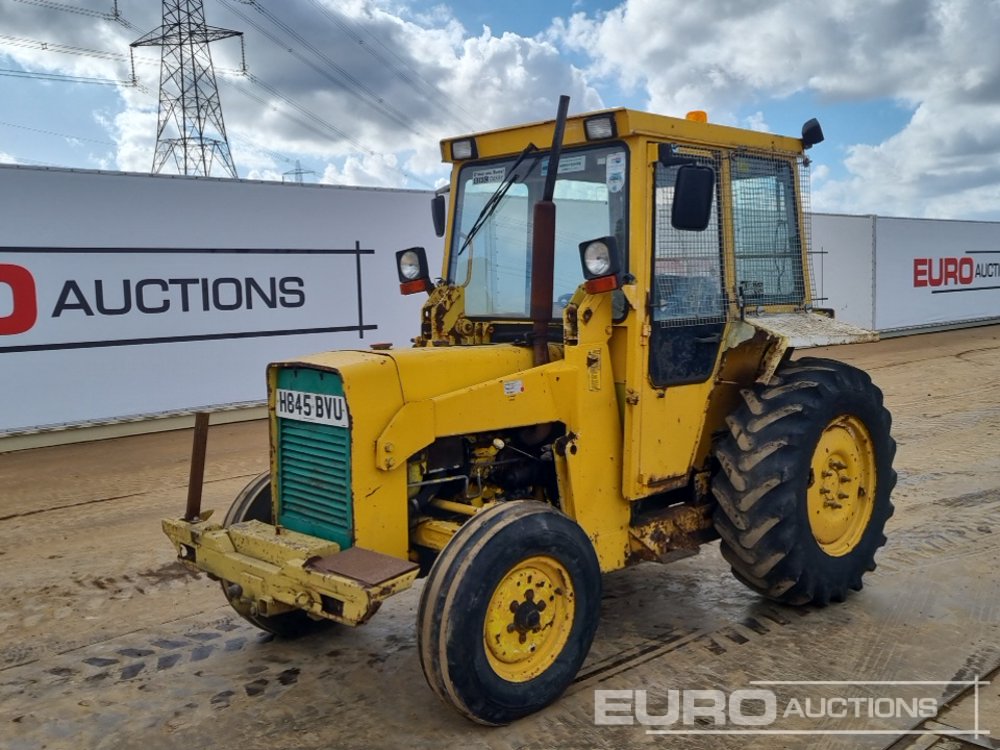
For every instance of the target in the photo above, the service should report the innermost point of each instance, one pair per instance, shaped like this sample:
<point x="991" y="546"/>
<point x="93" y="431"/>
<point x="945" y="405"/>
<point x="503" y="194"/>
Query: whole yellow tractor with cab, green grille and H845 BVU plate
<point x="586" y="392"/>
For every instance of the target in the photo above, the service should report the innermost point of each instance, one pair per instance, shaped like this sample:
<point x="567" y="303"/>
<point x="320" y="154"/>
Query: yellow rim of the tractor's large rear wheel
<point x="841" y="492"/>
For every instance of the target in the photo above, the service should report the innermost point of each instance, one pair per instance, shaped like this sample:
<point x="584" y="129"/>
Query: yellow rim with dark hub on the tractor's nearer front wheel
<point x="529" y="618"/>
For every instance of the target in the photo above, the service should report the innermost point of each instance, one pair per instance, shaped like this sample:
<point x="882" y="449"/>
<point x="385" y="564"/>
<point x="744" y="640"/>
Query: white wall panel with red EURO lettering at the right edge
<point x="932" y="272"/>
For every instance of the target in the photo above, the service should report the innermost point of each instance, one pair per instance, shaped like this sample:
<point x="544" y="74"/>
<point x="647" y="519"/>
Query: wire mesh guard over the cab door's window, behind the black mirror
<point x="687" y="266"/>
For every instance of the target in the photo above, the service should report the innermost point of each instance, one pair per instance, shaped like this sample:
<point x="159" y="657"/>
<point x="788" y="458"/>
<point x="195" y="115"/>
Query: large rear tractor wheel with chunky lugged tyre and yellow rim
<point x="805" y="482"/>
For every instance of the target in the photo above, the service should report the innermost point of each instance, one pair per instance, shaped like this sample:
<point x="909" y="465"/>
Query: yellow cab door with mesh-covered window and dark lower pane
<point x="685" y="316"/>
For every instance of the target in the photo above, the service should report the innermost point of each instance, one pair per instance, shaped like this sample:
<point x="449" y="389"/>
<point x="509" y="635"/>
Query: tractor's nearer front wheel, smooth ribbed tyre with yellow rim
<point x="509" y="611"/>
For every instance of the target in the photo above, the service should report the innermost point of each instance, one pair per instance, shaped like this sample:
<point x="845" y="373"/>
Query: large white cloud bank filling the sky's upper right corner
<point x="939" y="57"/>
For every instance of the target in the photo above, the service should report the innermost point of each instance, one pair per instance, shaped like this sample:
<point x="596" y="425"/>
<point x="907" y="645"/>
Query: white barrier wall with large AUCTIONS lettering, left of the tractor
<point x="126" y="294"/>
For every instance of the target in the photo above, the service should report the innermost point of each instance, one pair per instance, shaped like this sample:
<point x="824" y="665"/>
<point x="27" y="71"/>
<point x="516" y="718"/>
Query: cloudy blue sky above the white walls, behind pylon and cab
<point x="360" y="92"/>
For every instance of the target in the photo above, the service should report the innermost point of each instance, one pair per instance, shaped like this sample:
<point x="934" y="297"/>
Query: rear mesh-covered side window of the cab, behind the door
<point x="768" y="240"/>
